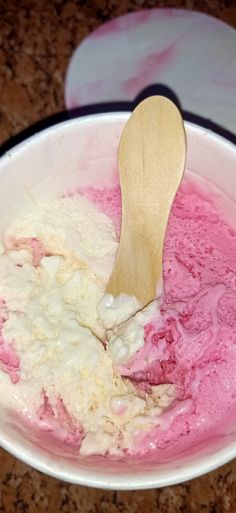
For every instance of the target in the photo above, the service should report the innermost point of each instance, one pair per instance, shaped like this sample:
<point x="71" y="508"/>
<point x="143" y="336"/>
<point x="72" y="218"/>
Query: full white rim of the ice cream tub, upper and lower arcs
<point x="113" y="481"/>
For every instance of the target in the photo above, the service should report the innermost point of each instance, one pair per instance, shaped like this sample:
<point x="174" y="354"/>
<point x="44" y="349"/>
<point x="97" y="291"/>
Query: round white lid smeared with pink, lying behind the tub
<point x="191" y="53"/>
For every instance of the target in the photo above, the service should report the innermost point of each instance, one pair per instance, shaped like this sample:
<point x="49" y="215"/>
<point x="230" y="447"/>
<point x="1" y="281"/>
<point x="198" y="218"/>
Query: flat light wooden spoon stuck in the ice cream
<point x="151" y="160"/>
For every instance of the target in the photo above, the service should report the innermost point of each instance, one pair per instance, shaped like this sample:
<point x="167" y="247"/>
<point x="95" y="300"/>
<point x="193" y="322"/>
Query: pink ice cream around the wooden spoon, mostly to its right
<point x="192" y="342"/>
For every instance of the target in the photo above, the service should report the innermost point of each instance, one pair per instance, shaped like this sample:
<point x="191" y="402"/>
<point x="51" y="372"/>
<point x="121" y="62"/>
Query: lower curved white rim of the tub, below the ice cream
<point x="118" y="481"/>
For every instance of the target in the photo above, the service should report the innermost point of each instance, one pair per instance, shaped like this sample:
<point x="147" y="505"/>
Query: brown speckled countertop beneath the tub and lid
<point x="37" y="39"/>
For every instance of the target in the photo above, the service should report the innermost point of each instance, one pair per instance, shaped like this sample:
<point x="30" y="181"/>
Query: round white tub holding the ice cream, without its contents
<point x="81" y="152"/>
